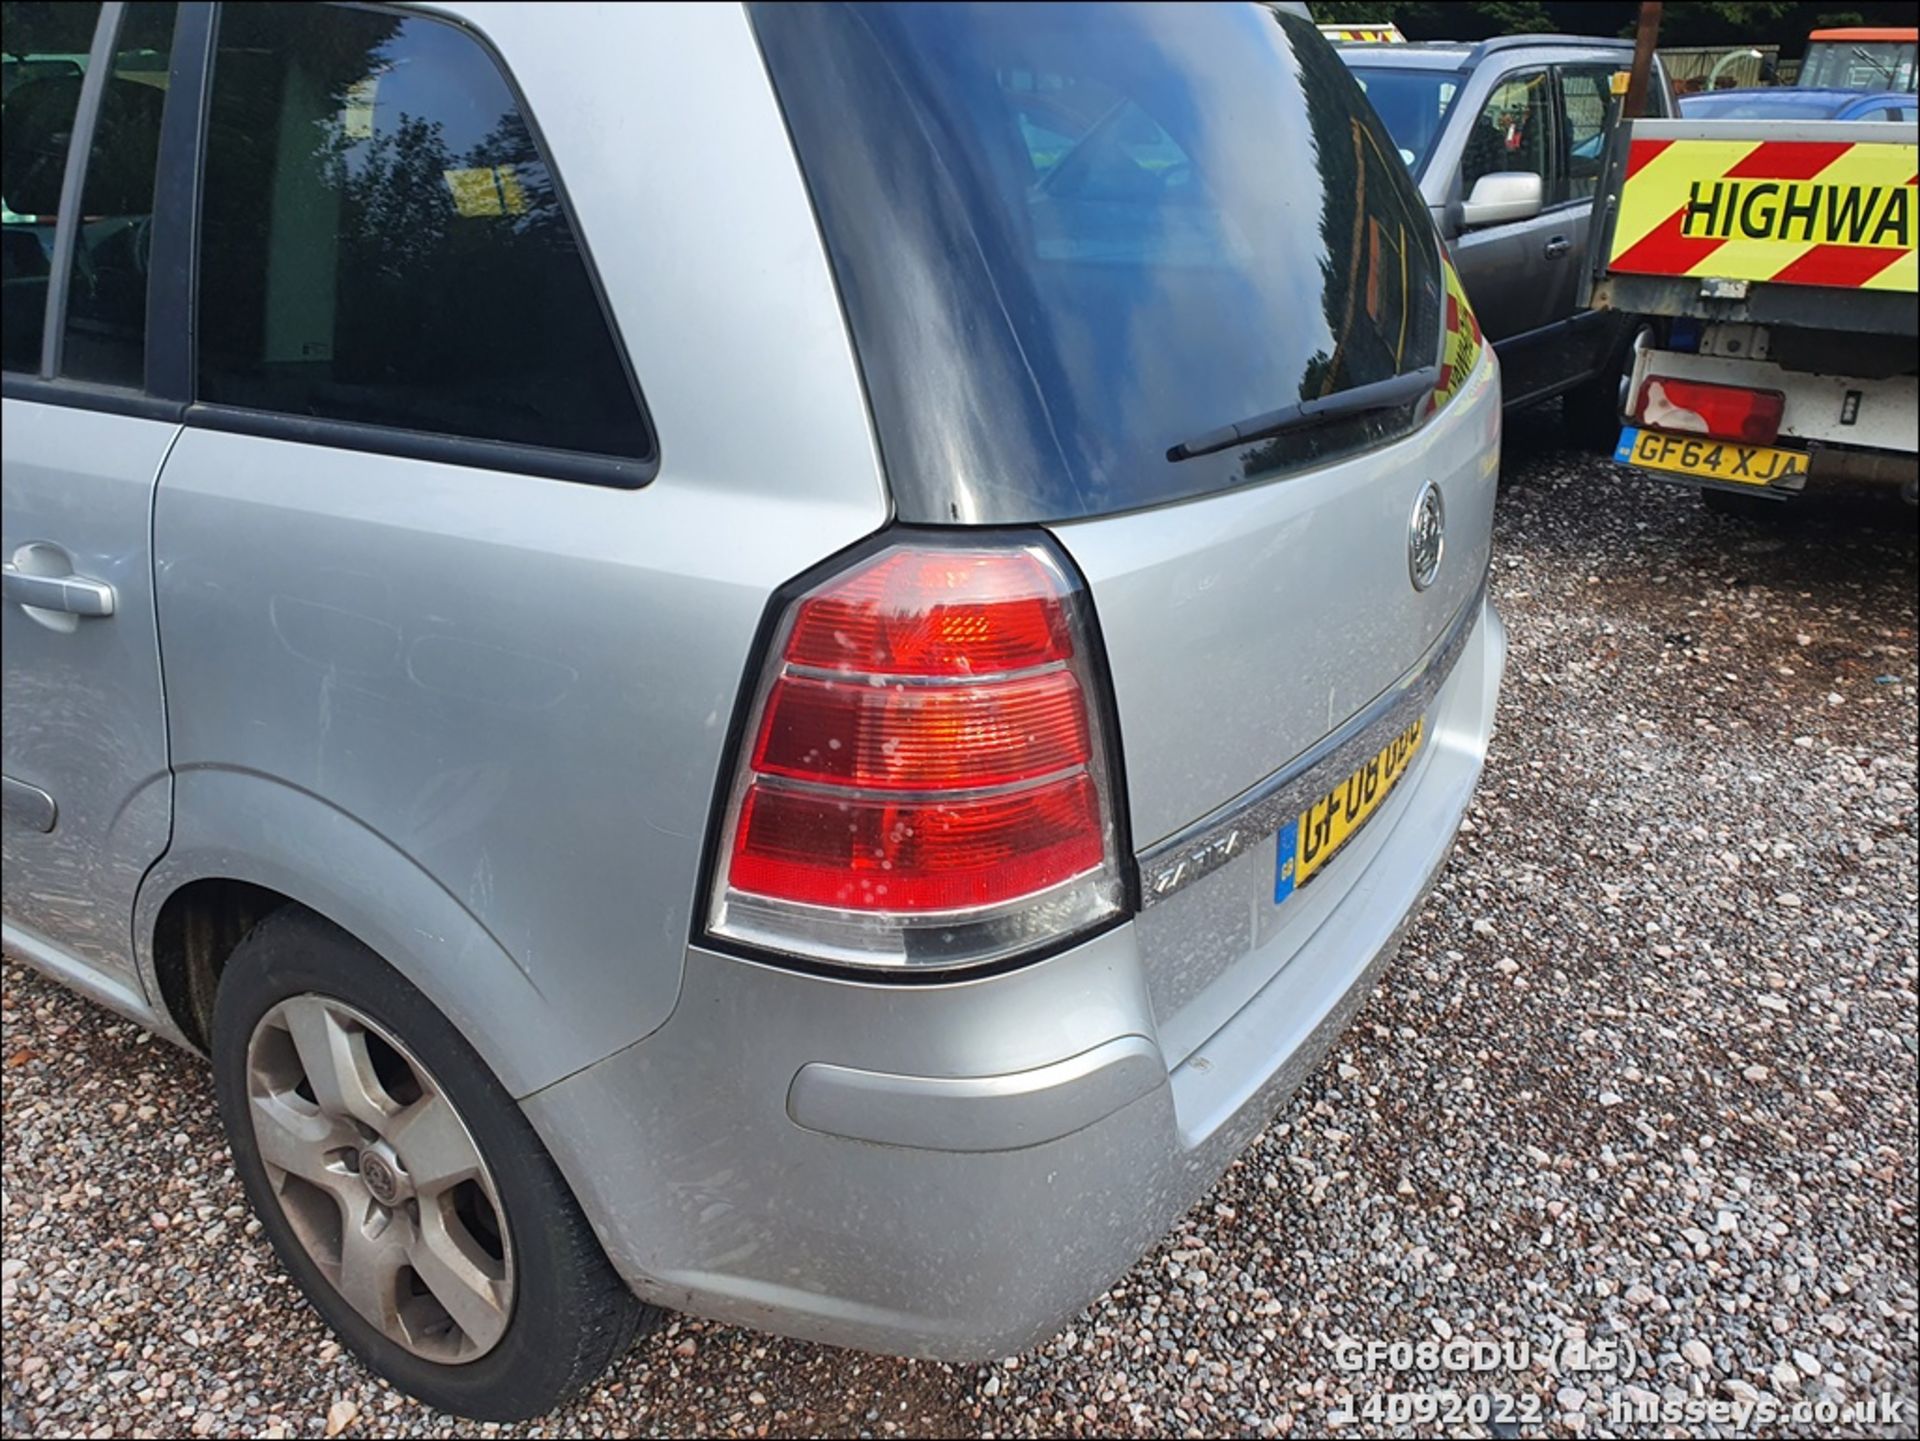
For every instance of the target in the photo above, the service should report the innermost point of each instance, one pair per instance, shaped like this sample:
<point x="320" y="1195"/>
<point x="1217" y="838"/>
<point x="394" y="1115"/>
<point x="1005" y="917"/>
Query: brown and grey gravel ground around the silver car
<point x="1644" y="1075"/>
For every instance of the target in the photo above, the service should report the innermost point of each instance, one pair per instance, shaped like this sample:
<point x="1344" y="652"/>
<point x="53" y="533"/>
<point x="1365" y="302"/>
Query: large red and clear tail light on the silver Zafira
<point x="924" y="778"/>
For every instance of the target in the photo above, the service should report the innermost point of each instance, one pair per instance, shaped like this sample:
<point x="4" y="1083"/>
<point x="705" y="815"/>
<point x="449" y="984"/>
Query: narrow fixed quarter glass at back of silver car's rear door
<point x="107" y="296"/>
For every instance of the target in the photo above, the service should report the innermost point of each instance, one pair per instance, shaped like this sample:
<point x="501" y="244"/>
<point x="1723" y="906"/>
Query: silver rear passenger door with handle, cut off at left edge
<point x="85" y="730"/>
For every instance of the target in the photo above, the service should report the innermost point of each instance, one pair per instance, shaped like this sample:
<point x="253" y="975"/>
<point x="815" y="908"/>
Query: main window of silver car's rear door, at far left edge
<point x="39" y="93"/>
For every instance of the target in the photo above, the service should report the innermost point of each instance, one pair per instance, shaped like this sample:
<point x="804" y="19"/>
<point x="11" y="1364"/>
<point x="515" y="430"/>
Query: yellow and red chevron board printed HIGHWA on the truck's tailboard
<point x="1788" y="212"/>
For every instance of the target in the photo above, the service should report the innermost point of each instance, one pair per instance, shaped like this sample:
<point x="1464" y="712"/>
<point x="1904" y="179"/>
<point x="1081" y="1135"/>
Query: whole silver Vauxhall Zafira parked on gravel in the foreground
<point x="780" y="661"/>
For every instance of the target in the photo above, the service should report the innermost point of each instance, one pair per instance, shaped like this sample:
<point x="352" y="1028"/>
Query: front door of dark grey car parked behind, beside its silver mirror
<point x="1512" y="270"/>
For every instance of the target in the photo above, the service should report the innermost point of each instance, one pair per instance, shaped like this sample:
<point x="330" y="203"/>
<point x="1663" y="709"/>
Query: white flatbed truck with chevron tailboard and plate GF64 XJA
<point x="1775" y="268"/>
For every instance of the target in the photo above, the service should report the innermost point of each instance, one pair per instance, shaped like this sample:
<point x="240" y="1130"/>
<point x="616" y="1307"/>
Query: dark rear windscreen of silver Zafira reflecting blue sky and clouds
<point x="1072" y="239"/>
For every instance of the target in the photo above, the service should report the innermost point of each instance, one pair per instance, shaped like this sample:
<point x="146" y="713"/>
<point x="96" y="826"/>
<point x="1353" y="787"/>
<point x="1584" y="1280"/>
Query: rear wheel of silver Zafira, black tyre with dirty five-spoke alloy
<point x="485" y="1296"/>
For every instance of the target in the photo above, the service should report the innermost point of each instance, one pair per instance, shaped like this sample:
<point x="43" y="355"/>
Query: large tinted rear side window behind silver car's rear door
<point x="383" y="243"/>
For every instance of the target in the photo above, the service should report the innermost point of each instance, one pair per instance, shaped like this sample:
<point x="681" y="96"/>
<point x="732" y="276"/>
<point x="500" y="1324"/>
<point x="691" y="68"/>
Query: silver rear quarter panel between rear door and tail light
<point x="477" y="717"/>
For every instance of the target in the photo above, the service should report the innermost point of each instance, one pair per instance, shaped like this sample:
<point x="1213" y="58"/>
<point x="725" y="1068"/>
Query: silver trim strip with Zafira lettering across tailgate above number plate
<point x="1262" y="809"/>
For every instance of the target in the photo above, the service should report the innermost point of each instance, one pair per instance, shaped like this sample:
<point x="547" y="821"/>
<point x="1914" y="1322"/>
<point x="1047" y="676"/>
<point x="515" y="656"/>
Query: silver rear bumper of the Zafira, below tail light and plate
<point x="955" y="1169"/>
